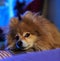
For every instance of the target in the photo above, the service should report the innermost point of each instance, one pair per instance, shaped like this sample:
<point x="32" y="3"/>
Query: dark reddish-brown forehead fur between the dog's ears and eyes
<point x="28" y="26"/>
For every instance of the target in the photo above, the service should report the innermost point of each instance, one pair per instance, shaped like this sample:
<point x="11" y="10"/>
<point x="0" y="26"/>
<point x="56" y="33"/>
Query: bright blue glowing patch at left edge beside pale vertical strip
<point x="4" y="15"/>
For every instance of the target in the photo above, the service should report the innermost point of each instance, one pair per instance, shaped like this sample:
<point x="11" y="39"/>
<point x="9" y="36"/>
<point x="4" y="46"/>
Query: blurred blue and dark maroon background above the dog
<point x="11" y="8"/>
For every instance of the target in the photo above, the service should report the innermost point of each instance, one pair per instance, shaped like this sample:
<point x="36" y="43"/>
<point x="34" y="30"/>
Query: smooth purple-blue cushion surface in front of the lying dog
<point x="50" y="55"/>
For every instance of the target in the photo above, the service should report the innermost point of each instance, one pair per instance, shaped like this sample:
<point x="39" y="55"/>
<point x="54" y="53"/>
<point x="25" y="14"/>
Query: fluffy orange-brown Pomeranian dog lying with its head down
<point x="32" y="33"/>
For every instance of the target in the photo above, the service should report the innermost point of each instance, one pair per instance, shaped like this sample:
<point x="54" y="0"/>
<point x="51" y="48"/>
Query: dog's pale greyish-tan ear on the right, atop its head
<point x="30" y="16"/>
